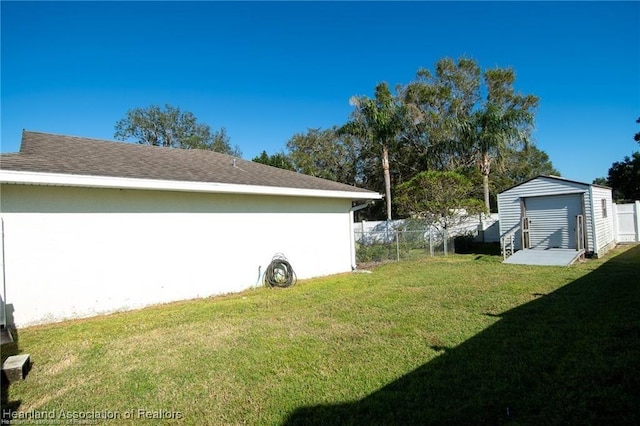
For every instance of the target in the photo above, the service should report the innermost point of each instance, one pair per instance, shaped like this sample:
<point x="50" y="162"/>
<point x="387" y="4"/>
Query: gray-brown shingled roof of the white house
<point x="49" y="153"/>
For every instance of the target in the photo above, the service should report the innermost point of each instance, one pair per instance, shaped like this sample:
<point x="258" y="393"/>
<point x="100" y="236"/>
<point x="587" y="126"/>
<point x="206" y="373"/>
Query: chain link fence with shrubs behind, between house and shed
<point x="393" y="241"/>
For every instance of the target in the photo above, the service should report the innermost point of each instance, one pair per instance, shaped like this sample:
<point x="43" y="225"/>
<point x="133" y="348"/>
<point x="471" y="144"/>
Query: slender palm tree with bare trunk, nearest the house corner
<point x="378" y="121"/>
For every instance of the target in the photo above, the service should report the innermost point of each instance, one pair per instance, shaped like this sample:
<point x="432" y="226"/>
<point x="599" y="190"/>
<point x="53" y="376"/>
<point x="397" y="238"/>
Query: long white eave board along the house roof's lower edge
<point x="89" y="181"/>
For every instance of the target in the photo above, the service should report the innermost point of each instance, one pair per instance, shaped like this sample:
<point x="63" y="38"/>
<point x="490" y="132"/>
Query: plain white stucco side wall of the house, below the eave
<point x="75" y="252"/>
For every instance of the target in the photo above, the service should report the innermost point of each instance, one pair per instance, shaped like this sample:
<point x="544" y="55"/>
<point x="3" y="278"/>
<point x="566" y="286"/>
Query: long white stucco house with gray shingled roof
<point x="92" y="226"/>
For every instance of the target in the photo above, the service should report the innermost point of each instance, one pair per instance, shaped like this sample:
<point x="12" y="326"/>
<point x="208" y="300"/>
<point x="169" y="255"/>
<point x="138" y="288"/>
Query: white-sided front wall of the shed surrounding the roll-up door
<point x="509" y="204"/>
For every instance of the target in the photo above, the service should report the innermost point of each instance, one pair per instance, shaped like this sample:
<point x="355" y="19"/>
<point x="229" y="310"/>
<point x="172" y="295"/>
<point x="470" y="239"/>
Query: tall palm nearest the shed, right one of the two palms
<point x="504" y="122"/>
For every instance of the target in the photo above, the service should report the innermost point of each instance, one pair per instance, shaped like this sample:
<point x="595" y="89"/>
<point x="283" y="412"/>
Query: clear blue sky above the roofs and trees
<point x="268" y="70"/>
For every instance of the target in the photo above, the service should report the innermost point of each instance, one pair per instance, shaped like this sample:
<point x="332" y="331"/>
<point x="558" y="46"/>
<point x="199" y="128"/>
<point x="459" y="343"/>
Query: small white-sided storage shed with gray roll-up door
<point x="549" y="212"/>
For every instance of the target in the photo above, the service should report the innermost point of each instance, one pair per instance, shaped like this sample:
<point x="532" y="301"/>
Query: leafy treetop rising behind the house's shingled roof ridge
<point x="170" y="127"/>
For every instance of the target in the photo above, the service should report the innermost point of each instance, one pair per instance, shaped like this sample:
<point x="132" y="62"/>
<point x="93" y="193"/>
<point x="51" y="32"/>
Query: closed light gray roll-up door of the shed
<point x="552" y="220"/>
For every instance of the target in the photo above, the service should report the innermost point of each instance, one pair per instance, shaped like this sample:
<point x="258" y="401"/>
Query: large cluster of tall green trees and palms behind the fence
<point x="455" y="118"/>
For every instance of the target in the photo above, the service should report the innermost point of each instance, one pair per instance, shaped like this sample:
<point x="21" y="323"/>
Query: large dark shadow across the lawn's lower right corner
<point x="567" y="357"/>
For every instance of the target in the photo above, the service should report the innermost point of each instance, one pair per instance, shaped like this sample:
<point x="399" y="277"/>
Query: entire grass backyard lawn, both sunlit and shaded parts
<point x="457" y="339"/>
